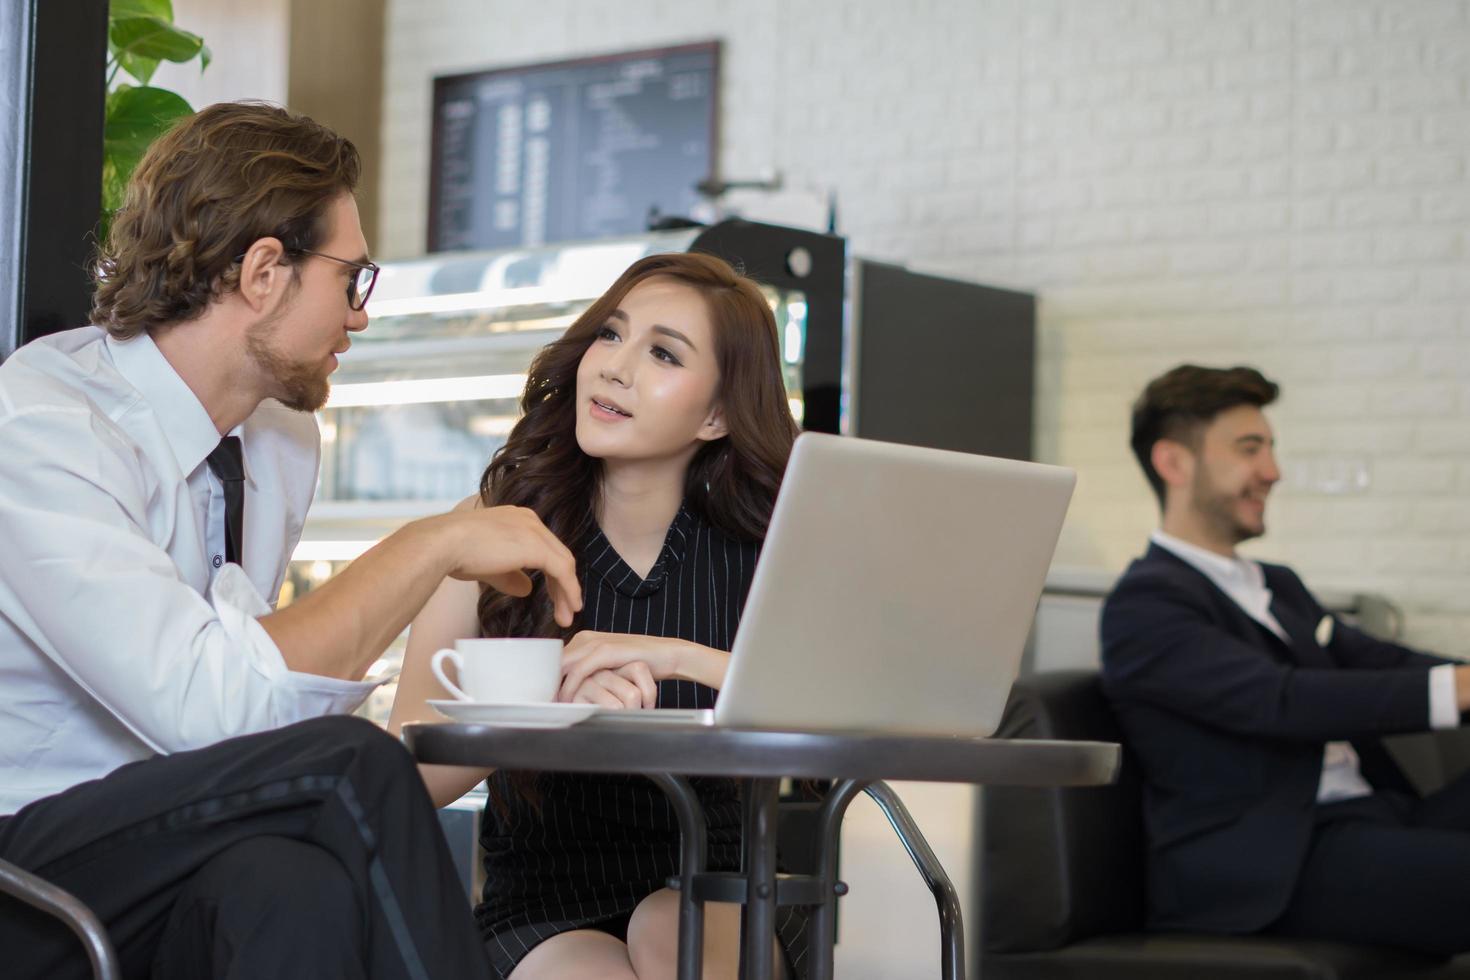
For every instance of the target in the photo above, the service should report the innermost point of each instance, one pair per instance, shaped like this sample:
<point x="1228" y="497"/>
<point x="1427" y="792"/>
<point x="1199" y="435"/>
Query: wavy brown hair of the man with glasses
<point x="204" y="193"/>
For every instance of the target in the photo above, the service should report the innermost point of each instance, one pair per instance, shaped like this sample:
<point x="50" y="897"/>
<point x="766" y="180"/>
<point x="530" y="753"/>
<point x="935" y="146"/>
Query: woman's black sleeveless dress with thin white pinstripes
<point x="602" y="844"/>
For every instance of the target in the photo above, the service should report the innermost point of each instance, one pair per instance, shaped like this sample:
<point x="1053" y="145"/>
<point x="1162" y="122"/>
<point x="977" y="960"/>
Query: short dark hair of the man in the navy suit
<point x="1184" y="400"/>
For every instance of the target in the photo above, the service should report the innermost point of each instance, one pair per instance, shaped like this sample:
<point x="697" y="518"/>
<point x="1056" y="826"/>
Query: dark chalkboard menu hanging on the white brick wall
<point x="570" y="151"/>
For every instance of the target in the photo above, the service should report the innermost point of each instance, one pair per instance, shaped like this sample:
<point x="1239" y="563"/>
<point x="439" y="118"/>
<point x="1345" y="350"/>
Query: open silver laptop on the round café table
<point x="894" y="591"/>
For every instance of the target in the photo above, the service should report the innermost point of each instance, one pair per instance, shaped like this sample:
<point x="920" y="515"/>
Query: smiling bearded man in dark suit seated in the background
<point x="1256" y="716"/>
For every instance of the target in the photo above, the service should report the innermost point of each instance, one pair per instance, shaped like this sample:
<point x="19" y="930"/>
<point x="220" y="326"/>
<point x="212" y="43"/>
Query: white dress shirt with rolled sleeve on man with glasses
<point x="123" y="631"/>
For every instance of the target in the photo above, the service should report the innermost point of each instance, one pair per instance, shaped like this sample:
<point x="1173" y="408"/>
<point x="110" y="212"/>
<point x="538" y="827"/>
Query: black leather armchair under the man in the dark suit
<point x="1062" y="875"/>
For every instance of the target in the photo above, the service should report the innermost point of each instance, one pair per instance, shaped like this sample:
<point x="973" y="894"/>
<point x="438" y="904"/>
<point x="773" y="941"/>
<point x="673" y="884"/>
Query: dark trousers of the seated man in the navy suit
<point x="1388" y="871"/>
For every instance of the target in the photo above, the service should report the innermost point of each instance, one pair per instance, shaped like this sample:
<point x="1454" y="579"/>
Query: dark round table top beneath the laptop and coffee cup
<point x="749" y="753"/>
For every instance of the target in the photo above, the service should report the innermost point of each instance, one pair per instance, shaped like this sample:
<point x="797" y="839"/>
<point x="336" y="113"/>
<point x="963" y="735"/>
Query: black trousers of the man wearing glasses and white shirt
<point x="312" y="851"/>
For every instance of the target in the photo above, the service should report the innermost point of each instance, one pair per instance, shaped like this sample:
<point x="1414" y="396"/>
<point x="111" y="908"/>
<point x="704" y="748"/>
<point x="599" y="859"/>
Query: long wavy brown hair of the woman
<point x="731" y="483"/>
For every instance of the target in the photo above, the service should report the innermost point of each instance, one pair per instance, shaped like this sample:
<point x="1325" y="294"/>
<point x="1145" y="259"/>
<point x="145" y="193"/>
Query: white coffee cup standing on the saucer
<point x="518" y="671"/>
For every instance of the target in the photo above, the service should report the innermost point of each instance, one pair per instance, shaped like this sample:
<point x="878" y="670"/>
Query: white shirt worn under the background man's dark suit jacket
<point x="1246" y="584"/>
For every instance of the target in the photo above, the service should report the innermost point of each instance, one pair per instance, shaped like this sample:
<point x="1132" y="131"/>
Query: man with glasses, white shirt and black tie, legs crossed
<point x="173" y="750"/>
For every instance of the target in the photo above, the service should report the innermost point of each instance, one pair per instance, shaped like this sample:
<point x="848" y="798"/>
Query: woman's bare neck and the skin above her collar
<point x="639" y="503"/>
